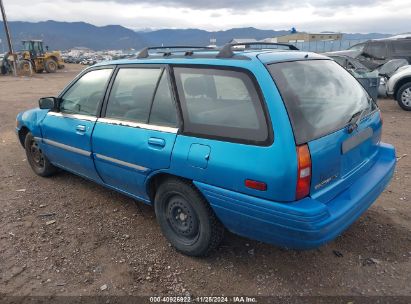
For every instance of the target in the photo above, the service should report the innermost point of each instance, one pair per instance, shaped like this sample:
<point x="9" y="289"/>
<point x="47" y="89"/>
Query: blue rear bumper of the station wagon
<point x="303" y="224"/>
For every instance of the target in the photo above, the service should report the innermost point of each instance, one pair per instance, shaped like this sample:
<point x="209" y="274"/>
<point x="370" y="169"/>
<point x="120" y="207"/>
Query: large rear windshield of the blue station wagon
<point x="321" y="97"/>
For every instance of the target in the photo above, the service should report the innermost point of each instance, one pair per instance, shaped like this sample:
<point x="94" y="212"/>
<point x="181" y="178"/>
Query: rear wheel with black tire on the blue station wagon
<point x="186" y="219"/>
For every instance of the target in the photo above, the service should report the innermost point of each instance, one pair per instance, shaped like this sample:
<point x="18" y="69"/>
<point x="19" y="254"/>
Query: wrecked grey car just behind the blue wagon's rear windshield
<point x="369" y="79"/>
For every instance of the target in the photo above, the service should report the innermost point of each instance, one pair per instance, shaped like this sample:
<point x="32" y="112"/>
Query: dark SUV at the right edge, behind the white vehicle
<point x="374" y="53"/>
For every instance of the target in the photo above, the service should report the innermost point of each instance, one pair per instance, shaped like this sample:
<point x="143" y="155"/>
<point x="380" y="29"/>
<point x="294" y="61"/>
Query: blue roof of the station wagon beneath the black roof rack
<point x="209" y="57"/>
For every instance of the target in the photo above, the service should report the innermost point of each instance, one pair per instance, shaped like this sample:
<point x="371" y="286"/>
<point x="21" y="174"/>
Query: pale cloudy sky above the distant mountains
<point x="389" y="16"/>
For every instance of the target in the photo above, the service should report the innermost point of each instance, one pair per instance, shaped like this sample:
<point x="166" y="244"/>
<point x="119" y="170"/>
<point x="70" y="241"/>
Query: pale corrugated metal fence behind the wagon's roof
<point x="326" y="46"/>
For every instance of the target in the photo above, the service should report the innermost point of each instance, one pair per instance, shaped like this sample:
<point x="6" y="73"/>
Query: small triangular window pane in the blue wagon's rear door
<point x="163" y="111"/>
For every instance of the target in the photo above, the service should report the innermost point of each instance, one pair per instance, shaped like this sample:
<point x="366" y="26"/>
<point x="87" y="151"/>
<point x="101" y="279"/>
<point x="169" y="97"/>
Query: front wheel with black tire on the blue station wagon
<point x="37" y="160"/>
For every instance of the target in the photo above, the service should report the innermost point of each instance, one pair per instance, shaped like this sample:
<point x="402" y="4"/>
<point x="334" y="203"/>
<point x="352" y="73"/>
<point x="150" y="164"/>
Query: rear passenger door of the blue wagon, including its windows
<point x="138" y="128"/>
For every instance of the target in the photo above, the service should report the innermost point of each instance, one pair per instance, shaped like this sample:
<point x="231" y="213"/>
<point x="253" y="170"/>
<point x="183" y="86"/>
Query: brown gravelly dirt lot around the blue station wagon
<point x="103" y="238"/>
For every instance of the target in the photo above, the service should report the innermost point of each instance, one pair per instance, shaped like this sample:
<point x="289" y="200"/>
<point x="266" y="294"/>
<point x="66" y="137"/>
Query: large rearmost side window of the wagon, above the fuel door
<point x="221" y="103"/>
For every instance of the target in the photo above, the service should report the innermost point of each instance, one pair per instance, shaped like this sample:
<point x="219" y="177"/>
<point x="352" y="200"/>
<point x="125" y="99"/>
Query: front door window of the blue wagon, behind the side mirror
<point x="85" y="95"/>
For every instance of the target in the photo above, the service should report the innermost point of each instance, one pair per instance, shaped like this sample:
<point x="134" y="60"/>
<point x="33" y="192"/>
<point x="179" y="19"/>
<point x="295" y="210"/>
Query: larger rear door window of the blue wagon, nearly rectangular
<point x="132" y="94"/>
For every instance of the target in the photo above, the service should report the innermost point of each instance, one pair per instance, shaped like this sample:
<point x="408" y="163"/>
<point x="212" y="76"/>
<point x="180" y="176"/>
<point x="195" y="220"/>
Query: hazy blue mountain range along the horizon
<point x="66" y="35"/>
